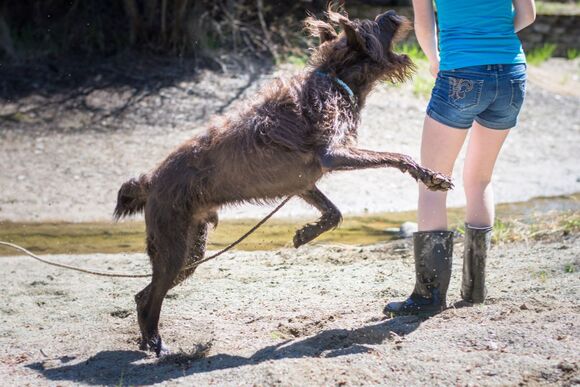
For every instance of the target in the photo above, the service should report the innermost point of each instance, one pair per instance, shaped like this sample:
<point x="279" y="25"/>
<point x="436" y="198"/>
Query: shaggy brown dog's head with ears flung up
<point x="362" y="46"/>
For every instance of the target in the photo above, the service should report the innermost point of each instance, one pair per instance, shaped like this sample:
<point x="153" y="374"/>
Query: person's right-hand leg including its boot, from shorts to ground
<point x="482" y="151"/>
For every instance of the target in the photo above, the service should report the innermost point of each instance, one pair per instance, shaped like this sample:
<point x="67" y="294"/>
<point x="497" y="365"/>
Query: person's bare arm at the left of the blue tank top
<point x="426" y="33"/>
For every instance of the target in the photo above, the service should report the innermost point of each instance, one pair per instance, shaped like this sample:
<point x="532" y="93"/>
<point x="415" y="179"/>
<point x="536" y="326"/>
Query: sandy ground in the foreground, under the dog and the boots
<point x="306" y="317"/>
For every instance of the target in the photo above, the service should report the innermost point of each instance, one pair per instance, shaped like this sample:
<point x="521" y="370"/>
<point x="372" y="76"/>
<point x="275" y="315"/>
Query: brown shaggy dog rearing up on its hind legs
<point x="281" y="145"/>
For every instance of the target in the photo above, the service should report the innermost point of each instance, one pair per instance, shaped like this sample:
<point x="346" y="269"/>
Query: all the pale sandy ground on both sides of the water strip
<point x="290" y="317"/>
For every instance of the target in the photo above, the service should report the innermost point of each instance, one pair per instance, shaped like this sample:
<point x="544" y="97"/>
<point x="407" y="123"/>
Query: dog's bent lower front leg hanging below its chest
<point x="330" y="218"/>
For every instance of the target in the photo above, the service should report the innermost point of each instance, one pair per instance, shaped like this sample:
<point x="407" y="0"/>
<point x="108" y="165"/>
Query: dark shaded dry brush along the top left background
<point x="32" y="28"/>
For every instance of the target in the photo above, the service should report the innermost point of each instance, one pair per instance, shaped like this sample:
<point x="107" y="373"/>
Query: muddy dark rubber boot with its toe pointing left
<point x="433" y="253"/>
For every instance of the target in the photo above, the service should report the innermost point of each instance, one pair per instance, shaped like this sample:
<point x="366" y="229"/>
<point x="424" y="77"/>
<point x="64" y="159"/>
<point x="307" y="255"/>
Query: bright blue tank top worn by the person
<point x="477" y="32"/>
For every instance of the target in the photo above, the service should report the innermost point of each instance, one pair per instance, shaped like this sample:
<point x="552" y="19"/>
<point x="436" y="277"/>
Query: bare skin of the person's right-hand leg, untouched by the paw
<point x="482" y="151"/>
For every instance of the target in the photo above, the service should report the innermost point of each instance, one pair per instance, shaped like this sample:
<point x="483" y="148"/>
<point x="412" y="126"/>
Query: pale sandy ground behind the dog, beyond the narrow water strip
<point x="70" y="175"/>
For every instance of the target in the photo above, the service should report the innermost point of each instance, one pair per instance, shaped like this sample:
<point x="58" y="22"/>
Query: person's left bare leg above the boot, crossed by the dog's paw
<point x="440" y="146"/>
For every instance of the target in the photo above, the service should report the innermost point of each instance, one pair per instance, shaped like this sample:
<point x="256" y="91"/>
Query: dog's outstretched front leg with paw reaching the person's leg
<point x="344" y="159"/>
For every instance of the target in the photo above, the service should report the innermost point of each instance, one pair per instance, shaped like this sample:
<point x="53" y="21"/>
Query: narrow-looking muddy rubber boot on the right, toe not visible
<point x="477" y="244"/>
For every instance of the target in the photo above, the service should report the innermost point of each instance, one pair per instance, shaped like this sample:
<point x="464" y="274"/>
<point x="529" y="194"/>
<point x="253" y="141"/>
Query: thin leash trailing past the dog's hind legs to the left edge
<point x="126" y="275"/>
